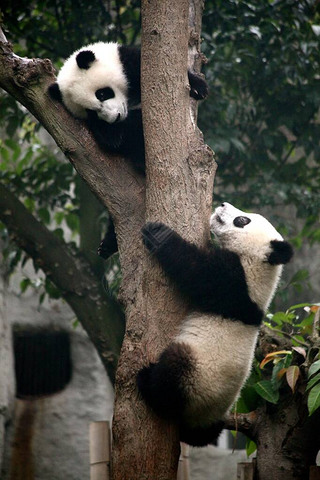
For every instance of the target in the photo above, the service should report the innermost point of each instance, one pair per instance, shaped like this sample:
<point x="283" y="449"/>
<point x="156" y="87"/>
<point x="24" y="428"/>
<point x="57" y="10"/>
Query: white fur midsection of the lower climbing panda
<point x="222" y="352"/>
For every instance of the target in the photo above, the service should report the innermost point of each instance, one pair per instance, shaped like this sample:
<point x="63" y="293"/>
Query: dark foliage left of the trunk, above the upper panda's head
<point x="55" y="28"/>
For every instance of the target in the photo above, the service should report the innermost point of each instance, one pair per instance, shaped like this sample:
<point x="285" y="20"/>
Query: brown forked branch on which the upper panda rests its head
<point x="112" y="179"/>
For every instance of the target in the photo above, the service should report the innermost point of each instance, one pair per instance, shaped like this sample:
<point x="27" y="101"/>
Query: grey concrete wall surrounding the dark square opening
<point x="47" y="438"/>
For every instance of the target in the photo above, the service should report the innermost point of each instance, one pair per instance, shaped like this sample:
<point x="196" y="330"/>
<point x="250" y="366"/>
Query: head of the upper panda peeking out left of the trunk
<point x="93" y="79"/>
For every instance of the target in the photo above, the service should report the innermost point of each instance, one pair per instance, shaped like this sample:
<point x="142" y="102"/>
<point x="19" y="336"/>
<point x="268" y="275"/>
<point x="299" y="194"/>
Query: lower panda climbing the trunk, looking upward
<point x="229" y="287"/>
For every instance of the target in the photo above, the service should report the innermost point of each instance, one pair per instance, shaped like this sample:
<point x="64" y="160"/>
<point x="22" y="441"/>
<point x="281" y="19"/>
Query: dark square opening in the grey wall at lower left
<point x="42" y="362"/>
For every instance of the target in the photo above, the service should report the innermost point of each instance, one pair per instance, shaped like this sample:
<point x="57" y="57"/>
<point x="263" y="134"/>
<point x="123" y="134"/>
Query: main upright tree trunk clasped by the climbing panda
<point x="179" y="180"/>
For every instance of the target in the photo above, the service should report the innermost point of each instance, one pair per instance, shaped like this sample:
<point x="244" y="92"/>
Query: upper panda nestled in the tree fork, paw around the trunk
<point x="100" y="83"/>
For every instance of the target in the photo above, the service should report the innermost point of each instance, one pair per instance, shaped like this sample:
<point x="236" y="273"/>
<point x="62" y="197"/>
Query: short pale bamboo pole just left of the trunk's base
<point x="99" y="436"/>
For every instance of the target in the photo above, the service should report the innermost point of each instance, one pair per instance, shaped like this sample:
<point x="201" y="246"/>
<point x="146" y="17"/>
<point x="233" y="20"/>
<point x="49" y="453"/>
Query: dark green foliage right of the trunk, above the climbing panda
<point x="262" y="119"/>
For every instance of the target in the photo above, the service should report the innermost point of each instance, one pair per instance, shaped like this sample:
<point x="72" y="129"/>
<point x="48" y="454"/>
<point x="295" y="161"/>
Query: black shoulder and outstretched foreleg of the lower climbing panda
<point x="213" y="281"/>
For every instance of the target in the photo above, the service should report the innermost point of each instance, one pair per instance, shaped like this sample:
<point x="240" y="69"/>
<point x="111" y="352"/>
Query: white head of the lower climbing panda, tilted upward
<point x="249" y="234"/>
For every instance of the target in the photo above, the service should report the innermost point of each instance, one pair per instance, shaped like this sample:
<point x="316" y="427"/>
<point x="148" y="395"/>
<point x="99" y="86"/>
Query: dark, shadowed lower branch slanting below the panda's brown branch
<point x="102" y="318"/>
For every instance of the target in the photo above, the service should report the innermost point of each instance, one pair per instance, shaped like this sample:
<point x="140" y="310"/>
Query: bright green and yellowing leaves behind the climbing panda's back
<point x="280" y="372"/>
